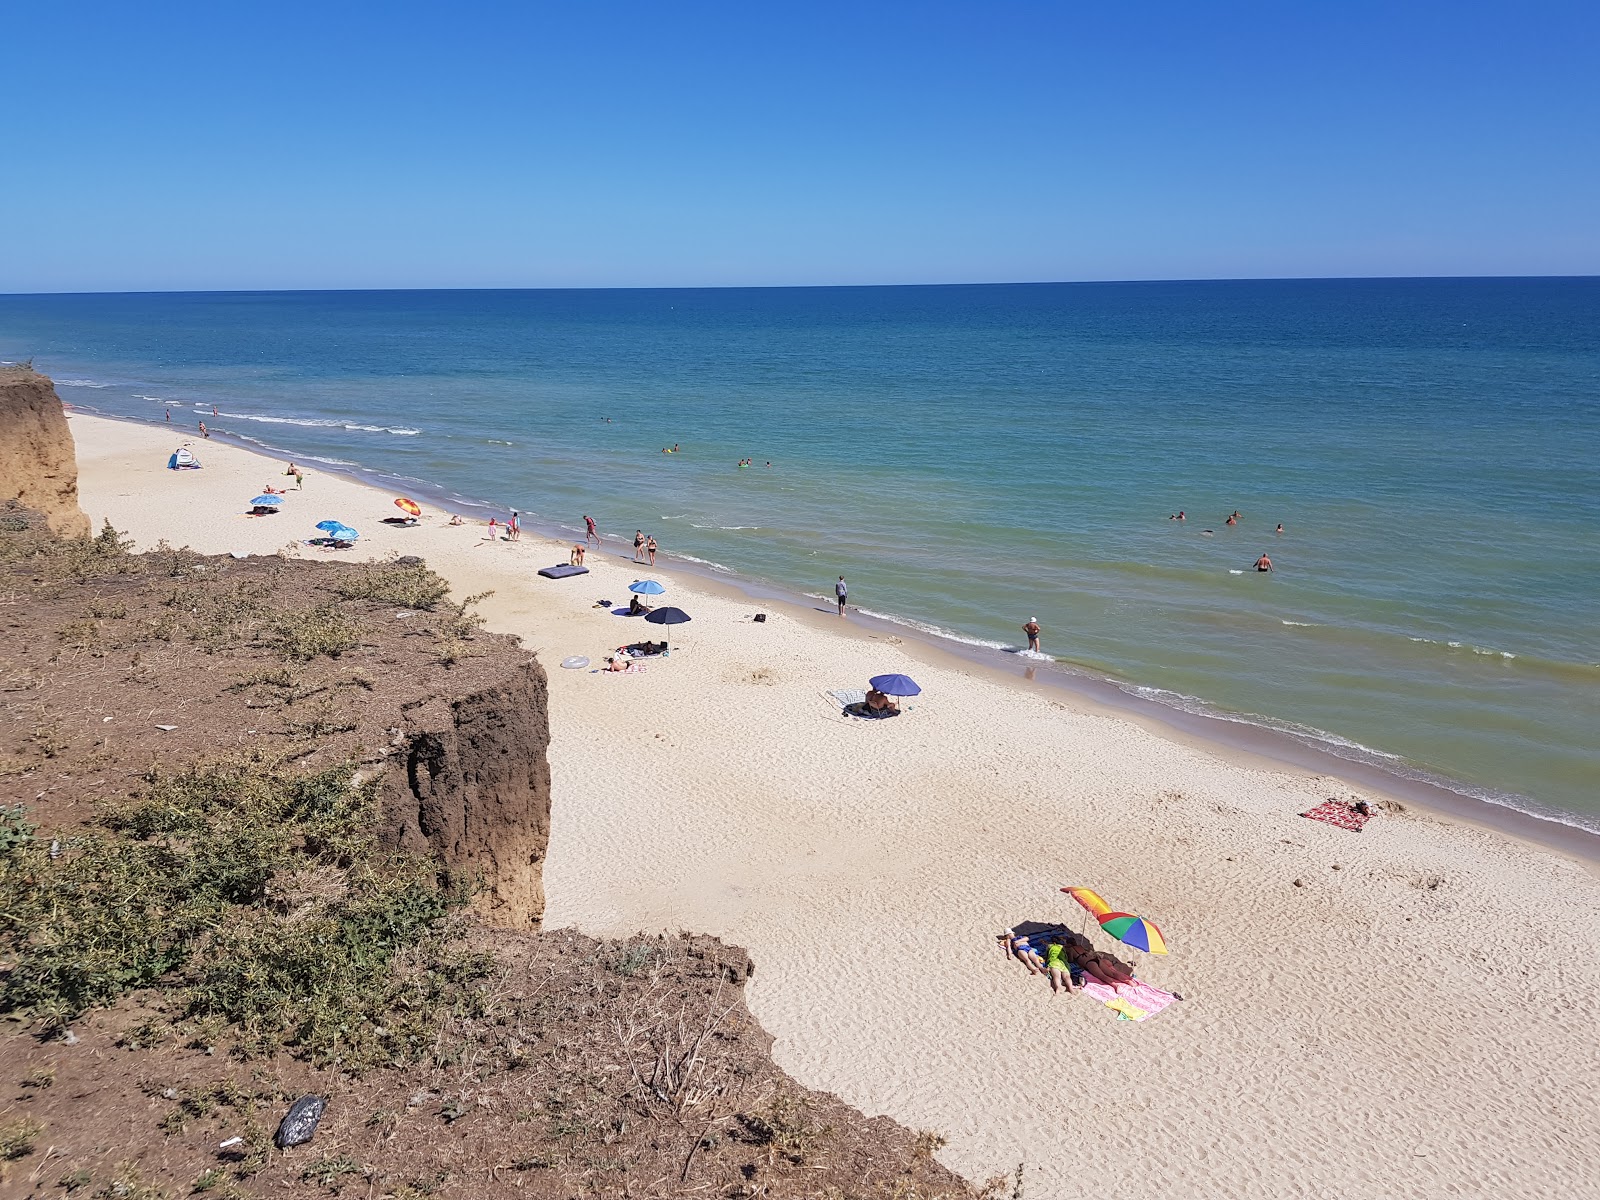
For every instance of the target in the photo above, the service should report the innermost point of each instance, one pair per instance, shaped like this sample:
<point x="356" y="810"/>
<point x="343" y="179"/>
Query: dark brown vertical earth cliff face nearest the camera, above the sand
<point x="473" y="790"/>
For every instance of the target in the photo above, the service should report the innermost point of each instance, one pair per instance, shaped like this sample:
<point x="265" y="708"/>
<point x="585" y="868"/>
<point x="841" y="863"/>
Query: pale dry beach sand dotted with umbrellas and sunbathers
<point x="1407" y="1012"/>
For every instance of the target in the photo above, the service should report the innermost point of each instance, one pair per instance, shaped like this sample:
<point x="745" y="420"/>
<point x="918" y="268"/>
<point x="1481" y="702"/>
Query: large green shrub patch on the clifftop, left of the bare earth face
<point x="257" y="898"/>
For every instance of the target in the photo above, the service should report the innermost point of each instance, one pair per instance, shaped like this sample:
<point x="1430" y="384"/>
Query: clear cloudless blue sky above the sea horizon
<point x="638" y="145"/>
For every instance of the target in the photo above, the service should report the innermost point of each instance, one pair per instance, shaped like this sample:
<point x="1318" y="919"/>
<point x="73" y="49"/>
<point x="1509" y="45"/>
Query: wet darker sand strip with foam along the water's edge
<point x="1236" y="737"/>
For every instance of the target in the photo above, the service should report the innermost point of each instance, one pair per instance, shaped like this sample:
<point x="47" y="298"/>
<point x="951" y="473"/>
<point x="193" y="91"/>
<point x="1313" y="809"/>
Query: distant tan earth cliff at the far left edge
<point x="38" y="463"/>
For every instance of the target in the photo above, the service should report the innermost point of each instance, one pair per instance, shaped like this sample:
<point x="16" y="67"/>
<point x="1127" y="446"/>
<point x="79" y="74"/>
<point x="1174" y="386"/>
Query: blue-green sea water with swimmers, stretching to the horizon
<point x="972" y="457"/>
